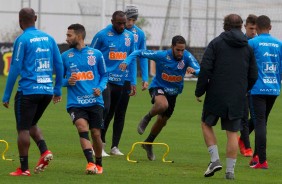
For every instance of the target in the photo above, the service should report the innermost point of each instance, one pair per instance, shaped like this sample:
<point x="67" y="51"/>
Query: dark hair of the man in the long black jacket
<point x="232" y="21"/>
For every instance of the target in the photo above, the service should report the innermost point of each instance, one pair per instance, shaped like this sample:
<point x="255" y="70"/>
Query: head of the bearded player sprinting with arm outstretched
<point x="178" y="45"/>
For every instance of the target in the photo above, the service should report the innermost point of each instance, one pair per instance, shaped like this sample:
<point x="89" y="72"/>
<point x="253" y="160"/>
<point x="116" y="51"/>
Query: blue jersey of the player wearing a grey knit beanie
<point x="140" y="44"/>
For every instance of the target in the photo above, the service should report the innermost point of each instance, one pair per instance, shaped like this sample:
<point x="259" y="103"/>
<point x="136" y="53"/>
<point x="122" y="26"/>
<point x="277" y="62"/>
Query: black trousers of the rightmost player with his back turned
<point x="260" y="107"/>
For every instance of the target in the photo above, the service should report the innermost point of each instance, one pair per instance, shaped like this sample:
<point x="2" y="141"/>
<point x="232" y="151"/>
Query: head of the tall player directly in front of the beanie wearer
<point x="118" y="21"/>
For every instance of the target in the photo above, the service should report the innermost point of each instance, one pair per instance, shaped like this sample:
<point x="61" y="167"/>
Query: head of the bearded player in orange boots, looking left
<point x="75" y="35"/>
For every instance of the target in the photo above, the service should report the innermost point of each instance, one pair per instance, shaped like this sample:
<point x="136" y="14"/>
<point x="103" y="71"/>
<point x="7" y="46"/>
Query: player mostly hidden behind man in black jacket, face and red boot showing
<point x="248" y="127"/>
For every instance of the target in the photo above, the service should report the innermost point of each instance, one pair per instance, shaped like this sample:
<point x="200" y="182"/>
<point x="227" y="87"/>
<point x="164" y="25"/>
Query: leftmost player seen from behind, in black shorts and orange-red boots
<point x="35" y="57"/>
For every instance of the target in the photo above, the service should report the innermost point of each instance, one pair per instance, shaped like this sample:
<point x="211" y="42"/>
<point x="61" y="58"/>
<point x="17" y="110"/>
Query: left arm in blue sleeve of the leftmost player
<point x="15" y="69"/>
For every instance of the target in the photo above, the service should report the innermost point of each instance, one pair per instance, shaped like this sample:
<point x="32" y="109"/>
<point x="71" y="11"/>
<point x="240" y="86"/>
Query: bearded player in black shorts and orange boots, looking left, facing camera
<point x="85" y="78"/>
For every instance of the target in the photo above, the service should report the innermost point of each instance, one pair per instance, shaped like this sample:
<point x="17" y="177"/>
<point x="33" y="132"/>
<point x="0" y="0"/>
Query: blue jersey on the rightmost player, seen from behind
<point x="268" y="54"/>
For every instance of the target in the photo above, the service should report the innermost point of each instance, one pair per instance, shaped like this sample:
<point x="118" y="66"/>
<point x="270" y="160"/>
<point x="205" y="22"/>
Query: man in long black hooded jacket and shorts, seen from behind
<point x="228" y="70"/>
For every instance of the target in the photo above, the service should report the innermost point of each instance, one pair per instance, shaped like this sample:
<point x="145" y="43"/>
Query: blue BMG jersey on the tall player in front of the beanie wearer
<point x="115" y="48"/>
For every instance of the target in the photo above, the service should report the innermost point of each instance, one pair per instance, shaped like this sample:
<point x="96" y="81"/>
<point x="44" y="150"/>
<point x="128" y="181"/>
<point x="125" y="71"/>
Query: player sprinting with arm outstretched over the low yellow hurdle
<point x="171" y="67"/>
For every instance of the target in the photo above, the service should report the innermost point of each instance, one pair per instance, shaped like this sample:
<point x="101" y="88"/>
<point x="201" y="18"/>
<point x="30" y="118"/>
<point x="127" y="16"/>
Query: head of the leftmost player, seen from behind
<point x="27" y="18"/>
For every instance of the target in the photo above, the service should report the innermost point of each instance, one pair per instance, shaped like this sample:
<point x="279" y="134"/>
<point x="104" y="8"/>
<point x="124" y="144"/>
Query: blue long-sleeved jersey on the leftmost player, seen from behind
<point x="35" y="56"/>
